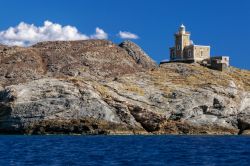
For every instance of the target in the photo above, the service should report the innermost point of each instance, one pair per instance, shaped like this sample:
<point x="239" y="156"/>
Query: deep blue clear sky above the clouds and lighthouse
<point x="222" y="24"/>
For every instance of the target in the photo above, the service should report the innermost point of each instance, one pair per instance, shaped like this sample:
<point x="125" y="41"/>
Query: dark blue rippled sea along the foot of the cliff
<point x="124" y="150"/>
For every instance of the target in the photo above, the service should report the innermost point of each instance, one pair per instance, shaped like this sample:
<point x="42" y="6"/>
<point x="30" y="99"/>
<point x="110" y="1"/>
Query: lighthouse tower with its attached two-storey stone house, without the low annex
<point x="185" y="50"/>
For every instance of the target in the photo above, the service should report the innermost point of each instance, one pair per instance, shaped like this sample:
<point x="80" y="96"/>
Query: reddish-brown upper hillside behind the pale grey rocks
<point x="89" y="59"/>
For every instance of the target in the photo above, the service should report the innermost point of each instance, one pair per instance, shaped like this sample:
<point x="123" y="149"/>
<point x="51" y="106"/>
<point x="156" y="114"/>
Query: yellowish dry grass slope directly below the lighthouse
<point x="196" y="76"/>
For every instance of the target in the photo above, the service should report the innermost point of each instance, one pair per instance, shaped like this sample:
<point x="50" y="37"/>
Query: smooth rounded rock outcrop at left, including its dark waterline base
<point x="56" y="102"/>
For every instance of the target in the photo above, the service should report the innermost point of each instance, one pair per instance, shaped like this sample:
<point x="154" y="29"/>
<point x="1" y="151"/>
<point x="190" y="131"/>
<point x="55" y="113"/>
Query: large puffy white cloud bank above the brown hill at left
<point x="27" y="34"/>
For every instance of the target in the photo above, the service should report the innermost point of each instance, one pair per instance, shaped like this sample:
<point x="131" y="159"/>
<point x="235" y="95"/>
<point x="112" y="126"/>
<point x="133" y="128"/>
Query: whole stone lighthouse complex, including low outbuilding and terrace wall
<point x="186" y="51"/>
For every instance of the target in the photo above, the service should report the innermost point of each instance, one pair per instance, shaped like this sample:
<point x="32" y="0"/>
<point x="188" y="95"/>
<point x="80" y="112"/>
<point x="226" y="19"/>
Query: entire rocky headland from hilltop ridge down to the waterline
<point x="98" y="87"/>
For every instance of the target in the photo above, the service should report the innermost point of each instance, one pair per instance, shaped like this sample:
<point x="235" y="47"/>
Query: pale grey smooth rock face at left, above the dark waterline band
<point x="51" y="99"/>
